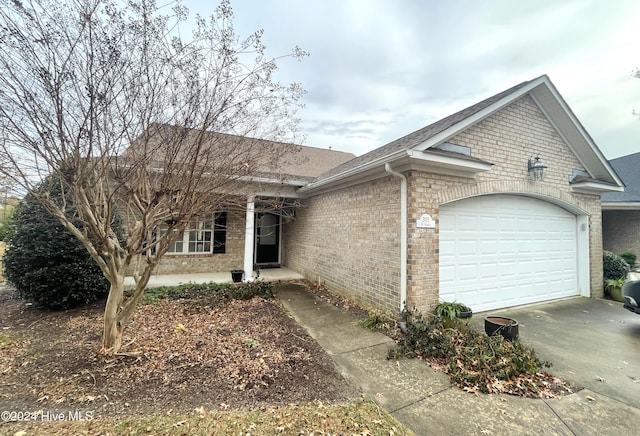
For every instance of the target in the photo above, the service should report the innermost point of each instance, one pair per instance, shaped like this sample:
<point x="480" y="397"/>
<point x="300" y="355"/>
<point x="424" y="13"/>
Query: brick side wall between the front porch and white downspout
<point x="349" y="239"/>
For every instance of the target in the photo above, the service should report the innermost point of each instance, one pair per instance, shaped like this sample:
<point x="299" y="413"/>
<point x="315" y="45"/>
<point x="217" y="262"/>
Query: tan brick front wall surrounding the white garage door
<point x="507" y="139"/>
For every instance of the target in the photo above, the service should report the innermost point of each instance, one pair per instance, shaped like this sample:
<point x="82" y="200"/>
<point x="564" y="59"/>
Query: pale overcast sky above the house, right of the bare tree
<point x="380" y="69"/>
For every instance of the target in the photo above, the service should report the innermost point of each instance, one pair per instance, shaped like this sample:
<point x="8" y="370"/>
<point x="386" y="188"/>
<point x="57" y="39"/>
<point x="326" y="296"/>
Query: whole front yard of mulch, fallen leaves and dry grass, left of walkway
<point x="243" y="368"/>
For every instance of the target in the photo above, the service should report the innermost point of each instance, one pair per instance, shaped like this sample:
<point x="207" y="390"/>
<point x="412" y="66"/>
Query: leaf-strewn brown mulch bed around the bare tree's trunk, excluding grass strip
<point x="176" y="358"/>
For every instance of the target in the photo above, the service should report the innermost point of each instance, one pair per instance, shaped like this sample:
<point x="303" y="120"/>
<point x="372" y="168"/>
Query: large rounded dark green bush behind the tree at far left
<point x="47" y="265"/>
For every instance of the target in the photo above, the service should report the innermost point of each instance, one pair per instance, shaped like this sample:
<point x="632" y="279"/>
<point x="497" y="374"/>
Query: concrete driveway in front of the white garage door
<point x="593" y="343"/>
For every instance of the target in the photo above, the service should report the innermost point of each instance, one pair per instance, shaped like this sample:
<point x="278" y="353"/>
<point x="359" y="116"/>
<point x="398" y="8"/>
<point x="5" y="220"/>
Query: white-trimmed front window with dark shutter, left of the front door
<point x="203" y="236"/>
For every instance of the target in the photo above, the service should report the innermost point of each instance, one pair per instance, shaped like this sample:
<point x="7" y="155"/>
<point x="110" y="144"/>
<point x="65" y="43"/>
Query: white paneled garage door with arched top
<point x="505" y="250"/>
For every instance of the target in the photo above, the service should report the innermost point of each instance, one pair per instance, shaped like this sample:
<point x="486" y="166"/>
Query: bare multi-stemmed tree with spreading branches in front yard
<point x="114" y="101"/>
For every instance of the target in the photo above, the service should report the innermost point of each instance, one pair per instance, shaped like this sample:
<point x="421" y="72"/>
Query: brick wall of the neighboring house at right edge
<point x="621" y="231"/>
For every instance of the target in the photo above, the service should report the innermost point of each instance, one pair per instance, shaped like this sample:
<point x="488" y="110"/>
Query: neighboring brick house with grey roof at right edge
<point x="621" y="210"/>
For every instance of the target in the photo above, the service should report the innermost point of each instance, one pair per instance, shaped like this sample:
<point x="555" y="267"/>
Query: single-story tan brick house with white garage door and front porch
<point x="496" y="205"/>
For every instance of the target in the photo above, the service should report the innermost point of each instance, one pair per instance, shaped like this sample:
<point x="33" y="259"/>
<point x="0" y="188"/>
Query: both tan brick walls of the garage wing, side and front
<point x="349" y="237"/>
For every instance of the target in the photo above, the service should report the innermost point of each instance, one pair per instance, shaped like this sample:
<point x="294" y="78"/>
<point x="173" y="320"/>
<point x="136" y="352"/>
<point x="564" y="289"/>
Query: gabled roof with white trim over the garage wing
<point x="421" y="143"/>
